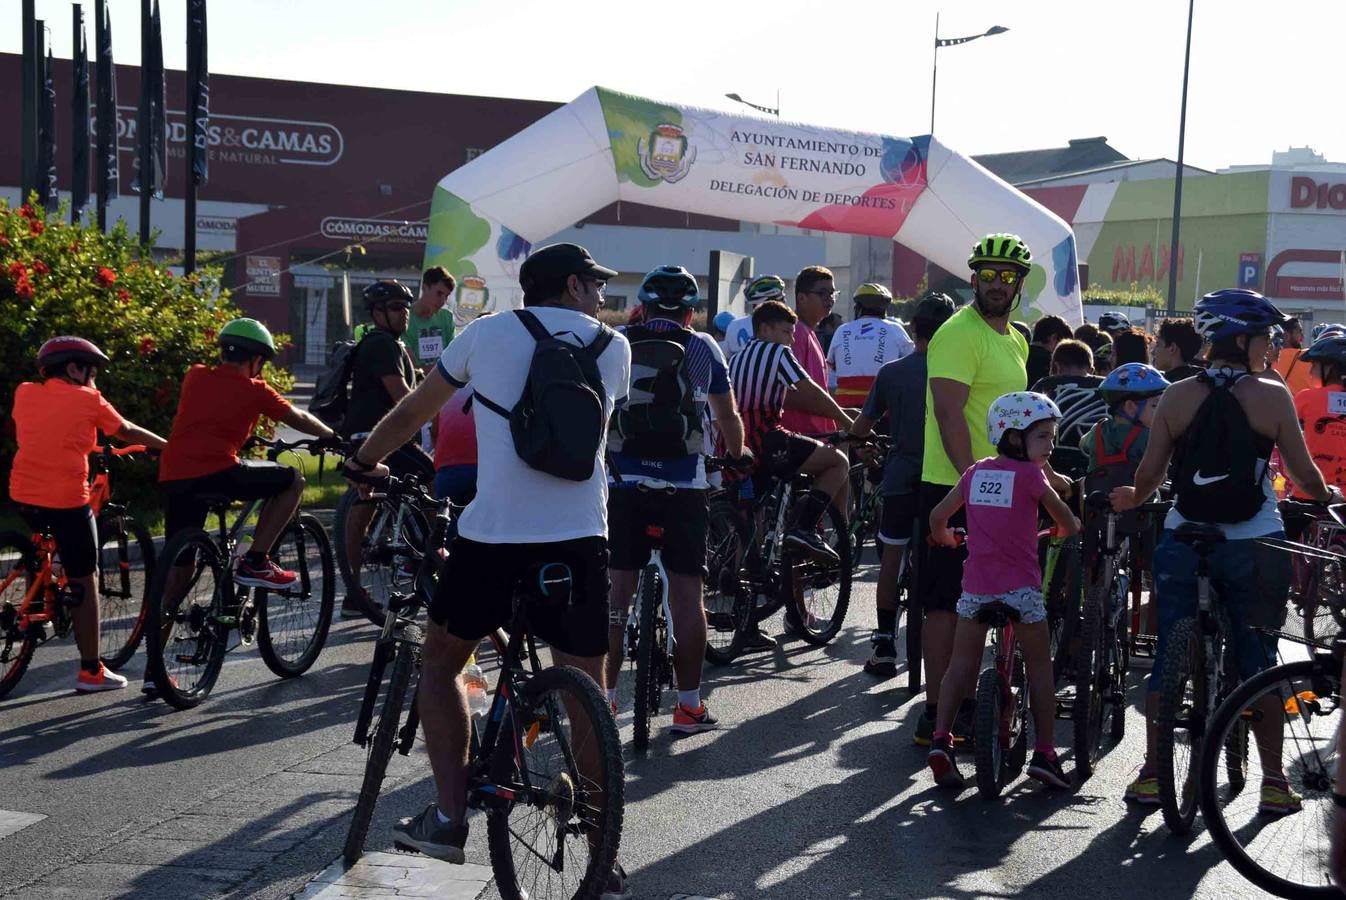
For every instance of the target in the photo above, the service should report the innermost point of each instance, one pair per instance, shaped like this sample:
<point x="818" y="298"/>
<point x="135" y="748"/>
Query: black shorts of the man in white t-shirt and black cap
<point x="477" y="590"/>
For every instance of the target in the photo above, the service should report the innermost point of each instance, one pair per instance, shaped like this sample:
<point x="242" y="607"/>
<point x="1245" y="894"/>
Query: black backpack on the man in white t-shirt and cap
<point x="558" y="423"/>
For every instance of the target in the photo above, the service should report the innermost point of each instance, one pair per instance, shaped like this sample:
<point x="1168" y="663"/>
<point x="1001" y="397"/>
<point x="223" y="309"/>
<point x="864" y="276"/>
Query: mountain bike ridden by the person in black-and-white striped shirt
<point x="754" y="572"/>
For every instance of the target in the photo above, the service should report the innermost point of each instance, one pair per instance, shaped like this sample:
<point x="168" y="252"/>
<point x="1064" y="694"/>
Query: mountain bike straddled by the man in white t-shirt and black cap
<point x="544" y="762"/>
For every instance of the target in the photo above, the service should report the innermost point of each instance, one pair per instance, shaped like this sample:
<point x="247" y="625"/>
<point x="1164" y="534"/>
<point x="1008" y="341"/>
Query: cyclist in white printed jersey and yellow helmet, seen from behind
<point x="861" y="349"/>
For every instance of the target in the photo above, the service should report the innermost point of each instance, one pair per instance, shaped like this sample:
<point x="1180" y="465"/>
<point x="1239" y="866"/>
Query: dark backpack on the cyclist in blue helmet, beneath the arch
<point x="660" y="419"/>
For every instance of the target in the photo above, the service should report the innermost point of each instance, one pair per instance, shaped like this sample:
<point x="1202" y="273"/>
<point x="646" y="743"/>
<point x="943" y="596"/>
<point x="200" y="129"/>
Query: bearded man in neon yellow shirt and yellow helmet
<point x="974" y="359"/>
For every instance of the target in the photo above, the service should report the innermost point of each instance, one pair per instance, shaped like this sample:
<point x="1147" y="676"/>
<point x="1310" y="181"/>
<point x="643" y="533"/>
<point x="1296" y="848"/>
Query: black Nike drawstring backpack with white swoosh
<point x="1217" y="473"/>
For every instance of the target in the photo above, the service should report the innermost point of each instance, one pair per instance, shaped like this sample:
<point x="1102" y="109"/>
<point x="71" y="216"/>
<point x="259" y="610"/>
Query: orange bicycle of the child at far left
<point x="36" y="603"/>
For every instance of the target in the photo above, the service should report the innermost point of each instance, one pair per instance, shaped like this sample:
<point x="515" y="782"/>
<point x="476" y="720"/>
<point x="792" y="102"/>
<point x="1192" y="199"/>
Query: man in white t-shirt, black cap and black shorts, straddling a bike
<point x="522" y="519"/>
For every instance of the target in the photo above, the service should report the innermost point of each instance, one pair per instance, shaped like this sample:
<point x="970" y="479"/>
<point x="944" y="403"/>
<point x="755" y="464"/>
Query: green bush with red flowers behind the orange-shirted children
<point x="57" y="279"/>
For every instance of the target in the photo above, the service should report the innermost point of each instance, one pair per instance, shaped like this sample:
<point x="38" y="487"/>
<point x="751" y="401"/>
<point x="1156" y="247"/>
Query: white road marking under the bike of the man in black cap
<point x="396" y="875"/>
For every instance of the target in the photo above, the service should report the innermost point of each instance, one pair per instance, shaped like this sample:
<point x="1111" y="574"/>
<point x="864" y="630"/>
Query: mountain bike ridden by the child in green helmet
<point x="196" y="603"/>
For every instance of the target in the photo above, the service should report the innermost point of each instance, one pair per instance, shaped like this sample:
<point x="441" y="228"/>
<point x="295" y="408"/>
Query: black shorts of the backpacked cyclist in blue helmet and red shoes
<point x="683" y="516"/>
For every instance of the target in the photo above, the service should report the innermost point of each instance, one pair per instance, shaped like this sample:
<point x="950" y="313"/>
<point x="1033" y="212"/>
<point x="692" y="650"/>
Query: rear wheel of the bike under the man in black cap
<point x="558" y="839"/>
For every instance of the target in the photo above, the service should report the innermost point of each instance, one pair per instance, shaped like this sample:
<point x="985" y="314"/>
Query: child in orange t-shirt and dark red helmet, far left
<point x="57" y="424"/>
